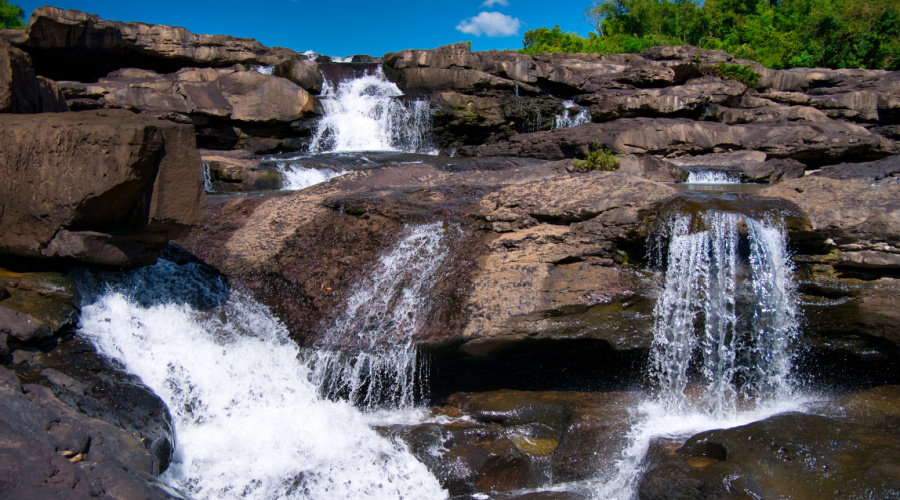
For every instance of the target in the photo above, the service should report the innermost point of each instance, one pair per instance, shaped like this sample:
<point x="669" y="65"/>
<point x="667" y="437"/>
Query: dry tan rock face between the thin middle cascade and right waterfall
<point x="550" y="272"/>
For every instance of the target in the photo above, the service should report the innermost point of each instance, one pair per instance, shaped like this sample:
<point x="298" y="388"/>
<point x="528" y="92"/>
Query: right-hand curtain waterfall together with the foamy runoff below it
<point x="724" y="323"/>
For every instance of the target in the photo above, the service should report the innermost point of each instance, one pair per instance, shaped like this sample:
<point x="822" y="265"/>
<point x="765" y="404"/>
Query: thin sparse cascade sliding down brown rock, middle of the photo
<point x="380" y="364"/>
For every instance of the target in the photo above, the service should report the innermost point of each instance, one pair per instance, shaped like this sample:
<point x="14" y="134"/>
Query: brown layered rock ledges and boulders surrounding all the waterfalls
<point x="539" y="326"/>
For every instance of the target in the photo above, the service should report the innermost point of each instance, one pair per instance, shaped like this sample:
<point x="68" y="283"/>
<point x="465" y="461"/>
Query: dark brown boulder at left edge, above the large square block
<point x="21" y="91"/>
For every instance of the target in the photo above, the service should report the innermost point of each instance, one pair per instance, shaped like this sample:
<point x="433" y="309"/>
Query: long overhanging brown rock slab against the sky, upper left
<point x="73" y="45"/>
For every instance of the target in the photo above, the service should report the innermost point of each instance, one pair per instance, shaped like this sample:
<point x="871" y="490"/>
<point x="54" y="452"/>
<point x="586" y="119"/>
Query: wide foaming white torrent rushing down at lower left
<point x="248" y="422"/>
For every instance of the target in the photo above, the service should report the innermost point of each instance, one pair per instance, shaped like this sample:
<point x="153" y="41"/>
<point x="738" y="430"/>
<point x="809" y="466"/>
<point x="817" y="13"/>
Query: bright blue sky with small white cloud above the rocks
<point x="342" y="27"/>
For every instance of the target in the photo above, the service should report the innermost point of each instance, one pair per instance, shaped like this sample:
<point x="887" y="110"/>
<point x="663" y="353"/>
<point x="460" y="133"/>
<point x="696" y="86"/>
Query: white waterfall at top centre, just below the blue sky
<point x="365" y="114"/>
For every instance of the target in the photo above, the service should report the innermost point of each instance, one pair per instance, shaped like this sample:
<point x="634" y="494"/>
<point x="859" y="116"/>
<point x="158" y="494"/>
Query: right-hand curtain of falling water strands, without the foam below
<point x="723" y="322"/>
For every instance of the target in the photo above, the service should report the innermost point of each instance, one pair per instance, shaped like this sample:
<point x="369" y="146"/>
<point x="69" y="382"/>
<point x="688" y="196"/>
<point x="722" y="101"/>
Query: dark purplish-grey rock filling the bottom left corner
<point x="36" y="427"/>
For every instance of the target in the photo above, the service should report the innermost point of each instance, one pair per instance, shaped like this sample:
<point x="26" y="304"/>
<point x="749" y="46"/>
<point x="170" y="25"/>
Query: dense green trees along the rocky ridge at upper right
<point x="777" y="33"/>
